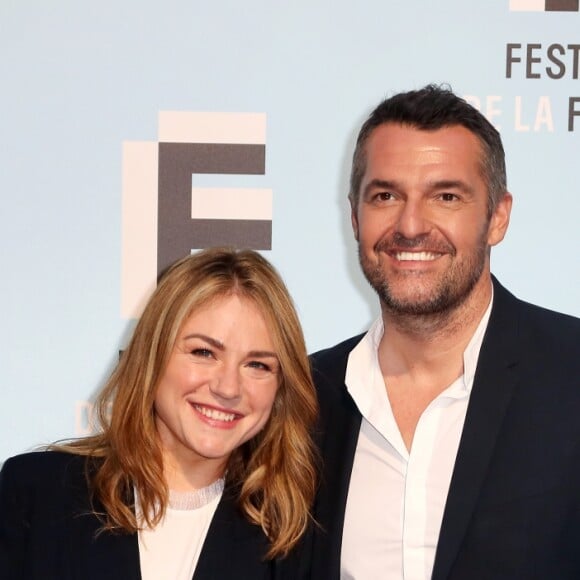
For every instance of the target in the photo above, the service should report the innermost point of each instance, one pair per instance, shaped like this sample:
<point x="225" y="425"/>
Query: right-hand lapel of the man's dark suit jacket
<point x="494" y="383"/>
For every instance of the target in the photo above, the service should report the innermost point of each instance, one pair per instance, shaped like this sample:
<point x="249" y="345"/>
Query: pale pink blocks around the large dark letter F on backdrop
<point x="141" y="194"/>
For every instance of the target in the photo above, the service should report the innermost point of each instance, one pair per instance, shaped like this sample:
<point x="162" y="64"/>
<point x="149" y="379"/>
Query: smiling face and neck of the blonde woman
<point x="219" y="385"/>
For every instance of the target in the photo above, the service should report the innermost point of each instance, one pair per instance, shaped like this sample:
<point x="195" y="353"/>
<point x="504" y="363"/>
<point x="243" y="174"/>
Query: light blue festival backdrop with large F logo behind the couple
<point x="135" y="131"/>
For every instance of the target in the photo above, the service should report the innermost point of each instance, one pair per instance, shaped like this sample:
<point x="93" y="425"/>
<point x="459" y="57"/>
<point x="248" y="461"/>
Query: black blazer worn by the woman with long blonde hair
<point x="47" y="531"/>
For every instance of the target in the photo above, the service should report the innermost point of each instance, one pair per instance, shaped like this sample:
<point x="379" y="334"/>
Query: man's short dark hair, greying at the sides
<point x="430" y="108"/>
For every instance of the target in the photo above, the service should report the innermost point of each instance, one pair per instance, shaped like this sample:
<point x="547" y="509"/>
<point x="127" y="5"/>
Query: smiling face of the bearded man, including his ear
<point x="422" y="218"/>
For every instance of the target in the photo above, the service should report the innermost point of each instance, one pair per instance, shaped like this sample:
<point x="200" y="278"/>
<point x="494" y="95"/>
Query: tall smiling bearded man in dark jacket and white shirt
<point x="450" y="431"/>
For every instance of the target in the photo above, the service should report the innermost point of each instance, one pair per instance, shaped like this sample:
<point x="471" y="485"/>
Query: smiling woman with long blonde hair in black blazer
<point x="204" y="466"/>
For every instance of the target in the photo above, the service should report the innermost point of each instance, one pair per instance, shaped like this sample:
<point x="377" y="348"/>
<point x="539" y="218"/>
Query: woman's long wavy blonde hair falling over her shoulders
<point x="273" y="474"/>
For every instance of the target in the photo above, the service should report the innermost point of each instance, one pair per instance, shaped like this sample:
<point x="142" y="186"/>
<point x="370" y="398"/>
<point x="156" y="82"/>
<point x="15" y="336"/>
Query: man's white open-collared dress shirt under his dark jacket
<point x="396" y="498"/>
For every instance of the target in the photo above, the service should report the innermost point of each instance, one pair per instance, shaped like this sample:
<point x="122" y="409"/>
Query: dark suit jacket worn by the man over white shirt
<point x="513" y="508"/>
